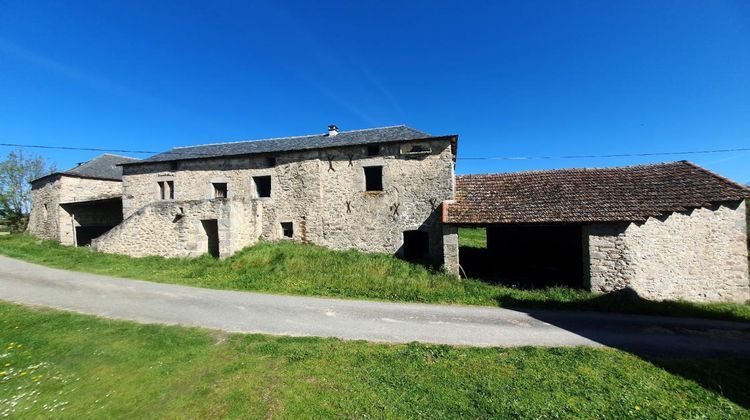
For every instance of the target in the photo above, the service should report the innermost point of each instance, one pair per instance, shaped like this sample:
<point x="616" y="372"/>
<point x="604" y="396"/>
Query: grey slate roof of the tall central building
<point x="286" y="144"/>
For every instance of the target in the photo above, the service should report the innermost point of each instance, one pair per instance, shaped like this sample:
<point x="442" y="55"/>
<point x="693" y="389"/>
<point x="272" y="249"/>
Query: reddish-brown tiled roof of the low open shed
<point x="631" y="193"/>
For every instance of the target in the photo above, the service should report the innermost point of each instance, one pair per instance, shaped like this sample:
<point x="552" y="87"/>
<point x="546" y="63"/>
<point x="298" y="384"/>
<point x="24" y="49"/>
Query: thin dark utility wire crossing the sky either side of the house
<point x="687" y="152"/>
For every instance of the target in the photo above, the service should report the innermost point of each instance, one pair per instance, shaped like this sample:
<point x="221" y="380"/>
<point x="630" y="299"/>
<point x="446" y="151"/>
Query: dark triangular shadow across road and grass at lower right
<point x="713" y="354"/>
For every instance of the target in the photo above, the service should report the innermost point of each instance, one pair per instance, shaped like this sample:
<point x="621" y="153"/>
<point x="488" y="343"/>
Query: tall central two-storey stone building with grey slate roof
<point x="374" y="190"/>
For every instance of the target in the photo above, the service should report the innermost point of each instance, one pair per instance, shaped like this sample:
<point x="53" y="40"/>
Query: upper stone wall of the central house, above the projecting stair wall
<point x="321" y="192"/>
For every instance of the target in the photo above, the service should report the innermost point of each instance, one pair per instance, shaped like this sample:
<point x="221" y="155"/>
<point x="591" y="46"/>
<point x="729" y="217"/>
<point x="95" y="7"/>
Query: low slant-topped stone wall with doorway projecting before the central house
<point x="174" y="229"/>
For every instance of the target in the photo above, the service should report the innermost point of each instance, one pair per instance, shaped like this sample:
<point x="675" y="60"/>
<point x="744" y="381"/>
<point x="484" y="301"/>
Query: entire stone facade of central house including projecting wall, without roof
<point x="320" y="192"/>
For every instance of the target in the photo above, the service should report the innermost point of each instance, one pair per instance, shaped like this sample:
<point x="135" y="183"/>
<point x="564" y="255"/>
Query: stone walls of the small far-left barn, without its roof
<point x="53" y="215"/>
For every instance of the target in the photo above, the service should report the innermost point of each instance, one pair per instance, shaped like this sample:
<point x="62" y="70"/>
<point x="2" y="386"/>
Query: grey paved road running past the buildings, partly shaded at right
<point x="246" y="312"/>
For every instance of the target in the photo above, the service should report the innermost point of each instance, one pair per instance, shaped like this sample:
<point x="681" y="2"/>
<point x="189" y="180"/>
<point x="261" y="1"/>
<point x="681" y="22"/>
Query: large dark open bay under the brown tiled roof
<point x="524" y="256"/>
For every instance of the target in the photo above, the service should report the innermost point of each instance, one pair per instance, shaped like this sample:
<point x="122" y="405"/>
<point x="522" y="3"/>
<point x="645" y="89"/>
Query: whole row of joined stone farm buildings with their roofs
<point x="664" y="231"/>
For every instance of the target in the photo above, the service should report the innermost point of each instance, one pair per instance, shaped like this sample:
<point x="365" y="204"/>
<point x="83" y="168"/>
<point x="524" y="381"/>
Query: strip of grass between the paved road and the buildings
<point x="292" y="268"/>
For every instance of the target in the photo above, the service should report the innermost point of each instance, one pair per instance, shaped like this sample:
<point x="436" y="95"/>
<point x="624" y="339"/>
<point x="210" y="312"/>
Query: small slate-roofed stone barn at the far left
<point x="79" y="204"/>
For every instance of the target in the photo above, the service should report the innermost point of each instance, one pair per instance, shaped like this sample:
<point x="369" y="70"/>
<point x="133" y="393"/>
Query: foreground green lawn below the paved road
<point x="75" y="366"/>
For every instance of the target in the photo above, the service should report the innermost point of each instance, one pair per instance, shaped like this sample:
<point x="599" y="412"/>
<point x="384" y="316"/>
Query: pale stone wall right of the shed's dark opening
<point x="697" y="255"/>
